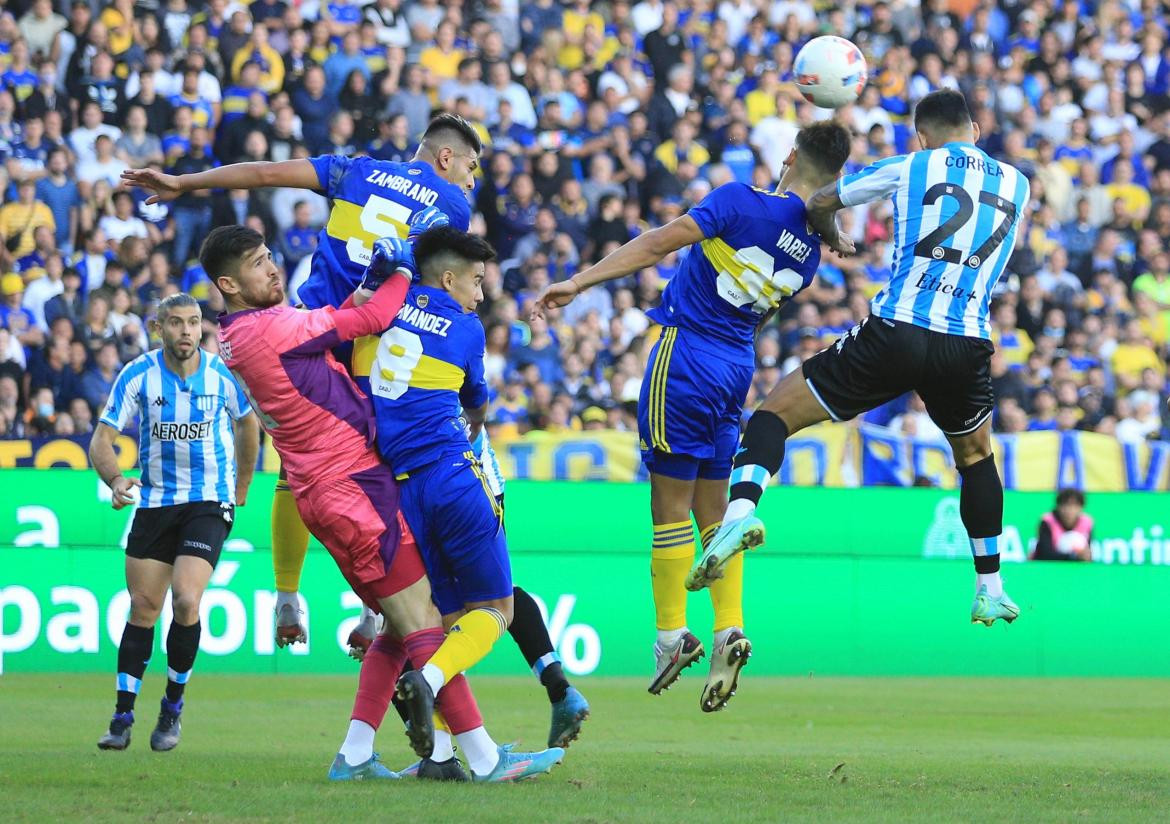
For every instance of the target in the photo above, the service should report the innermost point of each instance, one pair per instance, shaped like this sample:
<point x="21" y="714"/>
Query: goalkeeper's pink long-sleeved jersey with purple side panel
<point x="321" y="424"/>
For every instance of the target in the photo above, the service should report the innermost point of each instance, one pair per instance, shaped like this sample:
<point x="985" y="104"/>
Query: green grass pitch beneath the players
<point x="257" y="749"/>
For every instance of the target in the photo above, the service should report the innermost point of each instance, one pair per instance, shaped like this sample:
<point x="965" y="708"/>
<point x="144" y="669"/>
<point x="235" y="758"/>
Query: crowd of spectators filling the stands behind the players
<point x="600" y="121"/>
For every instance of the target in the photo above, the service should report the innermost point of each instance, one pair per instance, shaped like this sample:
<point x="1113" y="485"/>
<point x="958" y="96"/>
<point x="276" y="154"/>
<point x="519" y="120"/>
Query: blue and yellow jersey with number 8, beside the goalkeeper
<point x="426" y="368"/>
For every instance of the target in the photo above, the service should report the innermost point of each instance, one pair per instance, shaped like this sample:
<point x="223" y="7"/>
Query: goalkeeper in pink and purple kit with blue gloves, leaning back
<point x="324" y="429"/>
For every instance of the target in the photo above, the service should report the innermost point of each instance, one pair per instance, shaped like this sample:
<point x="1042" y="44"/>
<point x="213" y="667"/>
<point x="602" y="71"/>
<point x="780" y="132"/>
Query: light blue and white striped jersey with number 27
<point x="956" y="214"/>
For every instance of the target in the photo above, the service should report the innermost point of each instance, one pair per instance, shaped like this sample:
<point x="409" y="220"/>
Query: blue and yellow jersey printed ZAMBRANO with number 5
<point x="370" y="200"/>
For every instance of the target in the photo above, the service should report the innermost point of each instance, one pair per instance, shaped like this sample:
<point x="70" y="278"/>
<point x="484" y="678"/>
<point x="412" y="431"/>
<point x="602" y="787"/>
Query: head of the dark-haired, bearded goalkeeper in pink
<point x="238" y="263"/>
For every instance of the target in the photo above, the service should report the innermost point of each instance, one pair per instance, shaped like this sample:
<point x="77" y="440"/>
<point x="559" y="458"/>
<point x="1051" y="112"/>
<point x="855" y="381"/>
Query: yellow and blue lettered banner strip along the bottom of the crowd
<point x="829" y="455"/>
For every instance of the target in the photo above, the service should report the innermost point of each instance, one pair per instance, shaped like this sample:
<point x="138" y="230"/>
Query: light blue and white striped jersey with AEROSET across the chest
<point x="187" y="445"/>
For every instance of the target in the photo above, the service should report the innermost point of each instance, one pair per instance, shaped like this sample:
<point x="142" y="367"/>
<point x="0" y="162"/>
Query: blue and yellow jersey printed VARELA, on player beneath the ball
<point x="759" y="251"/>
